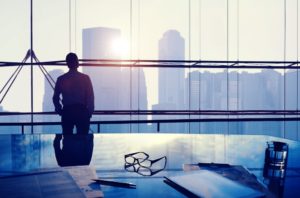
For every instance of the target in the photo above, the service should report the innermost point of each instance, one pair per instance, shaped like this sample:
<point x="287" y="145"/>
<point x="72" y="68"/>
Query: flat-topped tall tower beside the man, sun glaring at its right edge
<point x="97" y="44"/>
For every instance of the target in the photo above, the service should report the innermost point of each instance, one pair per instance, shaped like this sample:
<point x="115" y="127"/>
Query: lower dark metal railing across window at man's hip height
<point x="158" y="122"/>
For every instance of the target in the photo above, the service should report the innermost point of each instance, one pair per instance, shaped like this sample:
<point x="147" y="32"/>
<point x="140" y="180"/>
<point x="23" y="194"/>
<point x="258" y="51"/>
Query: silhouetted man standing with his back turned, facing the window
<point x="77" y="98"/>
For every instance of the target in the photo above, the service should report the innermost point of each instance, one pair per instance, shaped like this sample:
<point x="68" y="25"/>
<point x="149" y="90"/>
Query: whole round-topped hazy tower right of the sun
<point x="171" y="81"/>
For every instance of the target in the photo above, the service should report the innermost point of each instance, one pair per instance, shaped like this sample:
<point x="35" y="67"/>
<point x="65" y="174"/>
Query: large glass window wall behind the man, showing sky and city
<point x="249" y="30"/>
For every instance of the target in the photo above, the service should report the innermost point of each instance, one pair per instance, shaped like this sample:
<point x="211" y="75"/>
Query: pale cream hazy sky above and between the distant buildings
<point x="256" y="29"/>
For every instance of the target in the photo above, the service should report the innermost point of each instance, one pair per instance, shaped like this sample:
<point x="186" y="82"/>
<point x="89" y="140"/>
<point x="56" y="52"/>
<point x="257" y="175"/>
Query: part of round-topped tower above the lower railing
<point x="171" y="81"/>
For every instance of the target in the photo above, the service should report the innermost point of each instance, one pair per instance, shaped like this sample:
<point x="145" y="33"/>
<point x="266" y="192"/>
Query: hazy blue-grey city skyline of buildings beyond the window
<point x="194" y="84"/>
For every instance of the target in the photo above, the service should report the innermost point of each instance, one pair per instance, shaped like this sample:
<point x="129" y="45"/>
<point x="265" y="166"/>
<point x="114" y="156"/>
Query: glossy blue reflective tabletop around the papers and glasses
<point x="23" y="153"/>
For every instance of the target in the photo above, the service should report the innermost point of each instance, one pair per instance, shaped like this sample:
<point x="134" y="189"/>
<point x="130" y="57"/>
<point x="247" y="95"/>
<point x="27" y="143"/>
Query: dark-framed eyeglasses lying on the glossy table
<point x="140" y="163"/>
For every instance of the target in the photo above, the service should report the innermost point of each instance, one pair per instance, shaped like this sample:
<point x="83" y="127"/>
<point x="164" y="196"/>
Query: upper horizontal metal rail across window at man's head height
<point x="205" y="64"/>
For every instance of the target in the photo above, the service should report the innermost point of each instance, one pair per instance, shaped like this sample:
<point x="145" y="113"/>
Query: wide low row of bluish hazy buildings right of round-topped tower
<point x="246" y="91"/>
